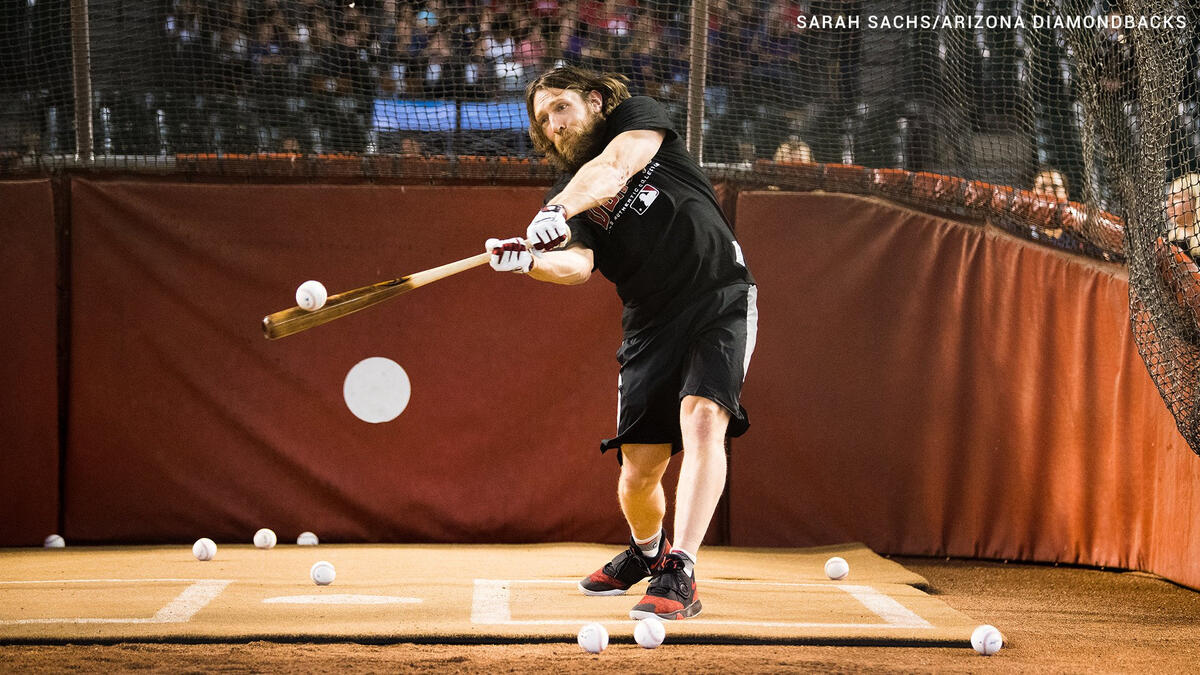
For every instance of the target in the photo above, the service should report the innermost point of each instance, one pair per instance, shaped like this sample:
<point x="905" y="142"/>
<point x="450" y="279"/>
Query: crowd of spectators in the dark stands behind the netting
<point x="305" y="76"/>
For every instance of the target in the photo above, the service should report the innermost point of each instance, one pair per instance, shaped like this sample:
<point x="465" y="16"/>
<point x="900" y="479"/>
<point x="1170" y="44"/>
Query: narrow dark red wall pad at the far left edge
<point x="29" y="407"/>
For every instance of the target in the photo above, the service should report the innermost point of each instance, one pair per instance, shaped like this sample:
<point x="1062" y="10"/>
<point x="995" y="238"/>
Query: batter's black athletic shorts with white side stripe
<point x="705" y="353"/>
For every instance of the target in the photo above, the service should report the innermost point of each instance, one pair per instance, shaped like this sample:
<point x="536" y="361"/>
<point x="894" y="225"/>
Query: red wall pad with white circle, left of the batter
<point x="188" y="422"/>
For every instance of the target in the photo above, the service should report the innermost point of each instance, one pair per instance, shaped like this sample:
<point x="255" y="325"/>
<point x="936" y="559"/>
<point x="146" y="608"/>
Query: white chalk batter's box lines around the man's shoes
<point x="491" y="605"/>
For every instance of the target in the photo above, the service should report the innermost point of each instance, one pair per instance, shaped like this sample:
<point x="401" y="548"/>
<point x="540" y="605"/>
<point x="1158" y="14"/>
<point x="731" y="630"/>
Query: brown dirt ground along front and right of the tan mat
<point x="1054" y="619"/>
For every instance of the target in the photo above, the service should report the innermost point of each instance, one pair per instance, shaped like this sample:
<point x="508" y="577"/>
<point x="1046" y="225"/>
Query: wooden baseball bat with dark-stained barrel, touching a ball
<point x="295" y="320"/>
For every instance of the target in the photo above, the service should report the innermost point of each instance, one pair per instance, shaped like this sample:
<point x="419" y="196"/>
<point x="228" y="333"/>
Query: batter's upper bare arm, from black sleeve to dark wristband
<point x="603" y="177"/>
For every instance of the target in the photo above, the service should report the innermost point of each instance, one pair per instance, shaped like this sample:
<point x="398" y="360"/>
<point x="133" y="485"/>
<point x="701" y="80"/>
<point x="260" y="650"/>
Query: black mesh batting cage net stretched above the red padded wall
<point x="1075" y="123"/>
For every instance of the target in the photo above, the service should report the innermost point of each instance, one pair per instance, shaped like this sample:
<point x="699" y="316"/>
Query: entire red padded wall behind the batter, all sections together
<point x="921" y="385"/>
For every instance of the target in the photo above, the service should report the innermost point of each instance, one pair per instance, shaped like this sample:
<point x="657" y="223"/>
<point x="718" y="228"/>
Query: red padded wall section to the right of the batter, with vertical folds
<point x="937" y="389"/>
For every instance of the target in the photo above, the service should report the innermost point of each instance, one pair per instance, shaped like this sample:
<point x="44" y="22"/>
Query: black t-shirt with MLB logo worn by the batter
<point x="663" y="240"/>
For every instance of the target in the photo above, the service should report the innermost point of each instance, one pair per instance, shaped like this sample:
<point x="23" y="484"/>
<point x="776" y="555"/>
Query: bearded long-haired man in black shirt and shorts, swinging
<point x="634" y="205"/>
